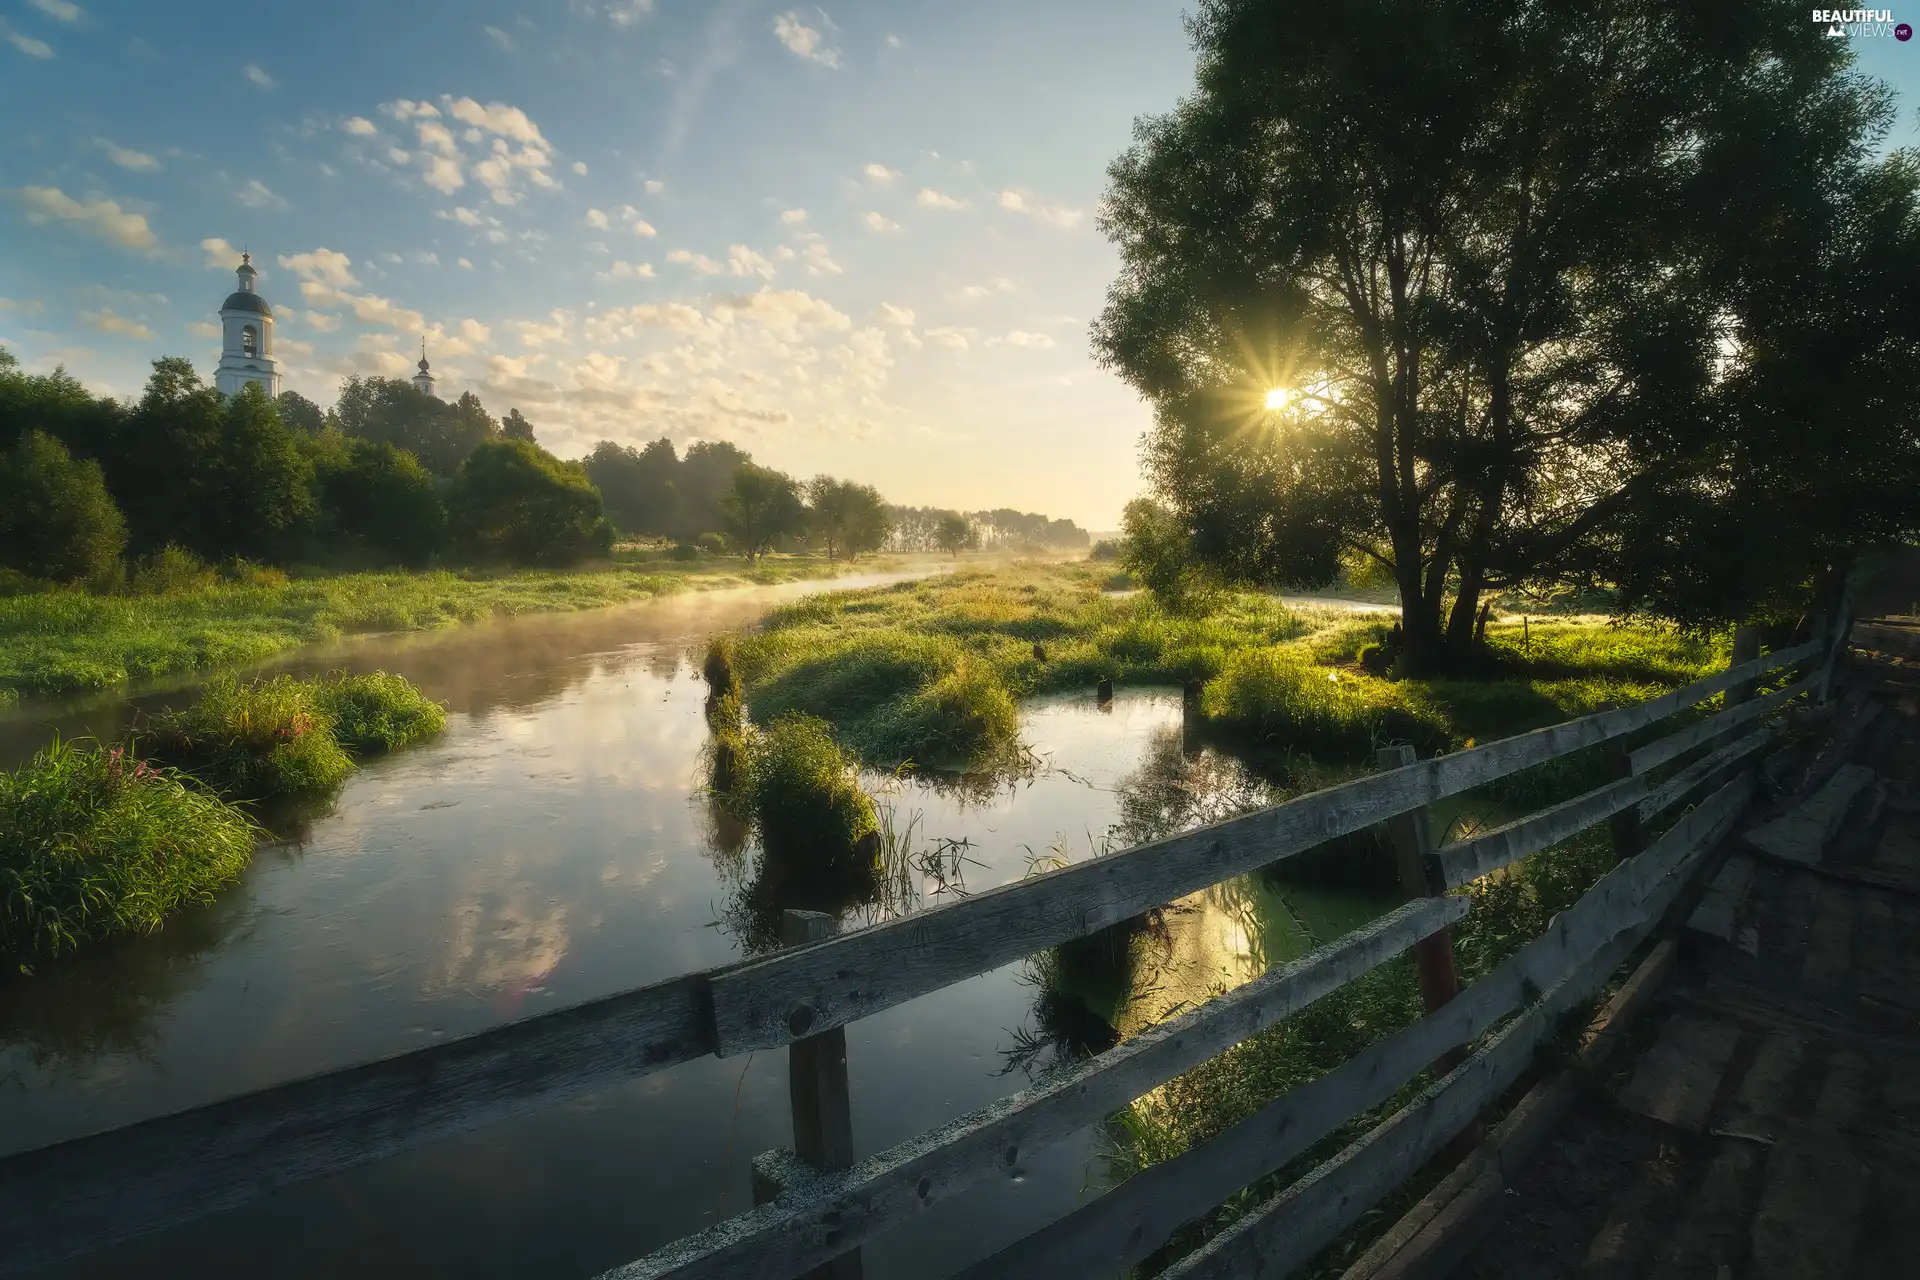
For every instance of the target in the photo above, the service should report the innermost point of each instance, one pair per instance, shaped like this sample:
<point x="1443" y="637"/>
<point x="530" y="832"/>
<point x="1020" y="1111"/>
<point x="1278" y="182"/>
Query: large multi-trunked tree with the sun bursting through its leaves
<point x="1454" y="285"/>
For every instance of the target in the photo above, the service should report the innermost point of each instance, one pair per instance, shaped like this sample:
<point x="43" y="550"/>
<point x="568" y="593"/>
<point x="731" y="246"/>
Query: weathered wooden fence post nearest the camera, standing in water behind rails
<point x="823" y="1106"/>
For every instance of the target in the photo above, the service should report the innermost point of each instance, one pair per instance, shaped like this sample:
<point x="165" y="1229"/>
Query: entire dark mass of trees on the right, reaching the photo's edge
<point x="1497" y="260"/>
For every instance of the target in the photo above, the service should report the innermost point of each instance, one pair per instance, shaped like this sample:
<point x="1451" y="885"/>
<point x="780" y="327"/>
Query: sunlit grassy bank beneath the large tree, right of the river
<point x="932" y="671"/>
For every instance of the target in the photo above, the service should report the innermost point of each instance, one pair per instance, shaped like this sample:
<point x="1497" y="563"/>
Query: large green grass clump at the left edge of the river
<point x="97" y="843"/>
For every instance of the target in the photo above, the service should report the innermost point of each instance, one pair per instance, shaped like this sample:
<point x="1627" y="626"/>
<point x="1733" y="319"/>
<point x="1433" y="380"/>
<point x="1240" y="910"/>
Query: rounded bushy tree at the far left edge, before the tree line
<point x="57" y="517"/>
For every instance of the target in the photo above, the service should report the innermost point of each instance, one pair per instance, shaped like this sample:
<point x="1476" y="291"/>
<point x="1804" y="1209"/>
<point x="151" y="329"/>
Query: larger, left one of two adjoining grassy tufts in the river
<point x="252" y="742"/>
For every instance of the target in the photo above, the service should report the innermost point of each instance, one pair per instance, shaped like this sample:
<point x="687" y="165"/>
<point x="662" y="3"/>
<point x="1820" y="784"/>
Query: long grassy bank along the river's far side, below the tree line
<point x="72" y="642"/>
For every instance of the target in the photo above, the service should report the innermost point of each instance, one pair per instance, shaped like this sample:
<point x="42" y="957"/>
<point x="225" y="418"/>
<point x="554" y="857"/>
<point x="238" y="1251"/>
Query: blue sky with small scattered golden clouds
<point x="853" y="239"/>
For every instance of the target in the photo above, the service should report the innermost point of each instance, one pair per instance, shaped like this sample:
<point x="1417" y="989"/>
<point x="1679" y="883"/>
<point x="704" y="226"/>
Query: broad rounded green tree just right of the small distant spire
<point x="516" y="502"/>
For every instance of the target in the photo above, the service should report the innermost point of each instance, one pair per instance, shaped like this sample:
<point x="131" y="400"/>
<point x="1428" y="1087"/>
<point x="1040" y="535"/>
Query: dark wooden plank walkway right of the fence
<point x="1769" y="1120"/>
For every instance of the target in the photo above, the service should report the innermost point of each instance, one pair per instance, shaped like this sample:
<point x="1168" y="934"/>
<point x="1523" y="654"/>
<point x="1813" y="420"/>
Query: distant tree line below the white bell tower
<point x="389" y="475"/>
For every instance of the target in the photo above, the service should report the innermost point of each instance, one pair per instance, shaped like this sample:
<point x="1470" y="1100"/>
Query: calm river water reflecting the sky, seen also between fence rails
<point x="552" y="847"/>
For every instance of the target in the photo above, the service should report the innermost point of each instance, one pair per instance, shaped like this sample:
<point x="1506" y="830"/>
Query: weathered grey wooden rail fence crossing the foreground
<point x="815" y="1206"/>
